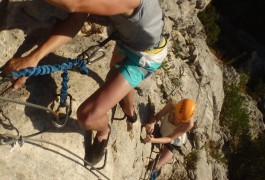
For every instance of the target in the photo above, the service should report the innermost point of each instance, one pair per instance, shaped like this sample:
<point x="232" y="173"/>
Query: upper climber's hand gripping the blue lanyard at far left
<point x="16" y="64"/>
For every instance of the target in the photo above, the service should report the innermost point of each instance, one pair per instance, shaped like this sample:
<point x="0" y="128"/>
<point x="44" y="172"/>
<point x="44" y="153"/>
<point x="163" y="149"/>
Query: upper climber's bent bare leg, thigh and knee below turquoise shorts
<point x="92" y="113"/>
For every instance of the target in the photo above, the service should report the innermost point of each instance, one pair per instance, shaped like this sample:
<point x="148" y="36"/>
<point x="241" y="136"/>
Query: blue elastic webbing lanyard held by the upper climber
<point x="78" y="63"/>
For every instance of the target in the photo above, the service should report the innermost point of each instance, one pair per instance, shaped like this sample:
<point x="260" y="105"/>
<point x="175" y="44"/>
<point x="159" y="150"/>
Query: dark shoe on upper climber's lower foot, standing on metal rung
<point x="97" y="151"/>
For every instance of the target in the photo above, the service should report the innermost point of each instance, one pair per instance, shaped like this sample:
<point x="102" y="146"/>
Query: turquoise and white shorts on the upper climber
<point x="139" y="65"/>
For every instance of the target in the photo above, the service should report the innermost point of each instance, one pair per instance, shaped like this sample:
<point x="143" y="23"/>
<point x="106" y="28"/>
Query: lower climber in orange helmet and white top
<point x="176" y="120"/>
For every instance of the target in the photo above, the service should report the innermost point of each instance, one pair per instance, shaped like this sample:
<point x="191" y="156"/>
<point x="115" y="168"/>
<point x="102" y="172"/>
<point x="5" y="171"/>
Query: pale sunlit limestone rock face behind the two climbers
<point x="189" y="71"/>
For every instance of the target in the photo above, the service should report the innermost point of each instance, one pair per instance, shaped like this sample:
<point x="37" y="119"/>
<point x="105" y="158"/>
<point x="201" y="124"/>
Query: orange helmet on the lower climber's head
<point x="185" y="109"/>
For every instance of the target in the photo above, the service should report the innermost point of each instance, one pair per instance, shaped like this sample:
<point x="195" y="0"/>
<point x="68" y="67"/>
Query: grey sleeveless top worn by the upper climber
<point x="142" y="30"/>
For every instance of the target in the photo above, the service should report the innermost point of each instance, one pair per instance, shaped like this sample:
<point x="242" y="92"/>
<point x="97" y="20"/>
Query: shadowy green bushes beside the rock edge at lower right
<point x="245" y="157"/>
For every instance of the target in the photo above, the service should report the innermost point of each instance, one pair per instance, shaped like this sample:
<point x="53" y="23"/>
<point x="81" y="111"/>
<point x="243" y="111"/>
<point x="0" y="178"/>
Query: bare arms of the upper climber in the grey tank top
<point x="67" y="29"/>
